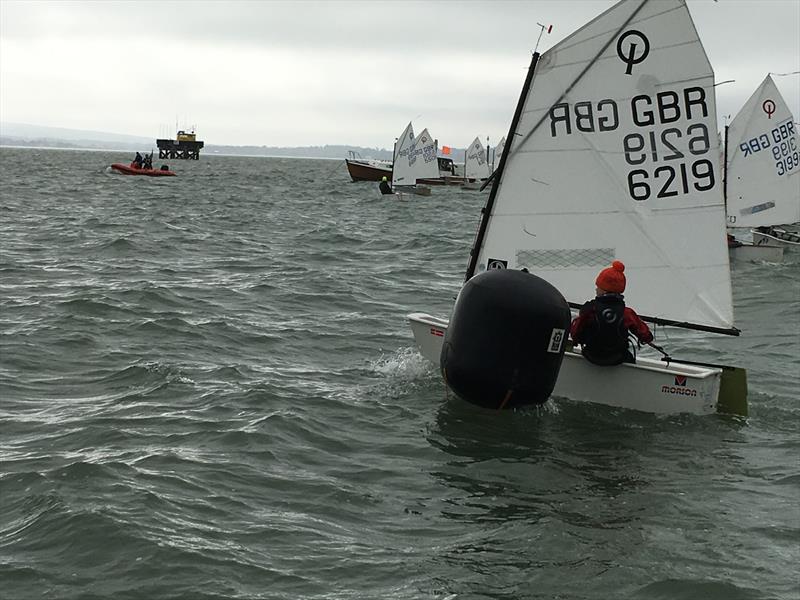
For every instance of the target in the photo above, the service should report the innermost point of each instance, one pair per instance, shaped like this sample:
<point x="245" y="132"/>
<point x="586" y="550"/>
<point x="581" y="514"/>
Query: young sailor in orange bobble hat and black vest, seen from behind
<point x="604" y="325"/>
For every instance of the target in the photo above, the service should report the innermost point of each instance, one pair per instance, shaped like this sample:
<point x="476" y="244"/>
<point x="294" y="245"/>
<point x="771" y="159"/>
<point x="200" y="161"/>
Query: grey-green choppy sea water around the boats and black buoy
<point x="208" y="390"/>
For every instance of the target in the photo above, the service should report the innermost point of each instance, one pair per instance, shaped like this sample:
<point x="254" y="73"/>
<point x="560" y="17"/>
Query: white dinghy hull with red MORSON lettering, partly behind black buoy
<point x="649" y="385"/>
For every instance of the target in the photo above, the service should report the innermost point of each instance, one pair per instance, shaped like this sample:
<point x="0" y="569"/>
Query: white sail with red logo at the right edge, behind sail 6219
<point x="763" y="176"/>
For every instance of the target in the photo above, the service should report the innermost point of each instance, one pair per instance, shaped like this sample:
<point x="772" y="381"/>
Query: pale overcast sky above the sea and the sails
<point x="303" y="73"/>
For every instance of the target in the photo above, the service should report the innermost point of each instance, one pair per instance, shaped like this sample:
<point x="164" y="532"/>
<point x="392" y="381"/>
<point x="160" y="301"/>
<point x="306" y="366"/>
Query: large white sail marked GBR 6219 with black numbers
<point x="615" y="156"/>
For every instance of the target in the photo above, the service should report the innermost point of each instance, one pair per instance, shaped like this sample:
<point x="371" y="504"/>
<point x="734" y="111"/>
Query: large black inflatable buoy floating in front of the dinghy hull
<point x="506" y="339"/>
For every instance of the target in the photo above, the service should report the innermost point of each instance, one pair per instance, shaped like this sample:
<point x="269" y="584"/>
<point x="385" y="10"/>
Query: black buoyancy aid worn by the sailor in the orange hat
<point x="605" y="339"/>
